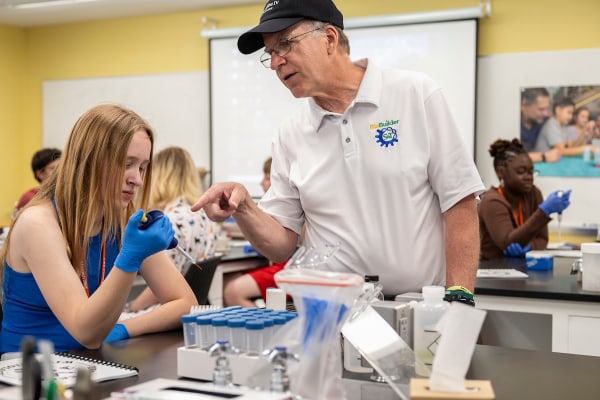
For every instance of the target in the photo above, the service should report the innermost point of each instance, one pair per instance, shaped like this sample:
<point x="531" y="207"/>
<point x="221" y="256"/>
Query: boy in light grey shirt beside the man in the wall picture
<point x="554" y="133"/>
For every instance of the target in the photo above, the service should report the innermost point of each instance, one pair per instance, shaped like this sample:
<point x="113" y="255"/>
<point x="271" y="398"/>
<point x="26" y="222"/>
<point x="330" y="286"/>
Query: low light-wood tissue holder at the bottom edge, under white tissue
<point x="476" y="390"/>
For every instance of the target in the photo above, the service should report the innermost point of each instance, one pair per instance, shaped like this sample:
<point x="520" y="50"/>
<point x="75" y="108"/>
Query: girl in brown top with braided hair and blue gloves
<point x="513" y="217"/>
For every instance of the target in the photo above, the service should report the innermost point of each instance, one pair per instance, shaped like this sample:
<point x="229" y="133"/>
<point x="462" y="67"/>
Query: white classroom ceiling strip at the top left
<point x="48" y="12"/>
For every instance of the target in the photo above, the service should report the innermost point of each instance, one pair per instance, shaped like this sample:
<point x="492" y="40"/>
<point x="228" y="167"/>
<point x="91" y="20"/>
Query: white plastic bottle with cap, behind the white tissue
<point x="426" y="315"/>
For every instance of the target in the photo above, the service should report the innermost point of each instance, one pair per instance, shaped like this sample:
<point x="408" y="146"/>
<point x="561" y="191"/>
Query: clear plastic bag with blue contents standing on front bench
<point x="323" y="300"/>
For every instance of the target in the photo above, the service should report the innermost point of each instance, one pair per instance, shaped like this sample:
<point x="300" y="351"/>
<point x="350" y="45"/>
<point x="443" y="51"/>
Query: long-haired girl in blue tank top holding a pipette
<point x="72" y="254"/>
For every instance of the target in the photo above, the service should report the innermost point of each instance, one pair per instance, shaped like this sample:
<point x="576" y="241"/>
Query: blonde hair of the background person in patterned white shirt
<point x="175" y="175"/>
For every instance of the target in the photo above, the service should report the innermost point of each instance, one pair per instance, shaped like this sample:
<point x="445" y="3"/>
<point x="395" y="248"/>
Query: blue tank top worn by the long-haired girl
<point x="26" y="311"/>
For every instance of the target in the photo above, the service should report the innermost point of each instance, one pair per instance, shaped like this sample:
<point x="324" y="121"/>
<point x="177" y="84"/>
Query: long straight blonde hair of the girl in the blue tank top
<point x="89" y="178"/>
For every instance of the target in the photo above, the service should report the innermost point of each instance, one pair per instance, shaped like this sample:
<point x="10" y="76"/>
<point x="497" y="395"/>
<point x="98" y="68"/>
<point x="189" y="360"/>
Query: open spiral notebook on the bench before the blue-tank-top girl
<point x="65" y="367"/>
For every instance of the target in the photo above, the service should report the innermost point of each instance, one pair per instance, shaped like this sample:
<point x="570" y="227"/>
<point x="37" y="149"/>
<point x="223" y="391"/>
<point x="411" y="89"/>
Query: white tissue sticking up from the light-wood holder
<point x="460" y="328"/>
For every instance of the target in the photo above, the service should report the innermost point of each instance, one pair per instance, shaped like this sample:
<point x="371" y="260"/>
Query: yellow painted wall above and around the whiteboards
<point x="172" y="43"/>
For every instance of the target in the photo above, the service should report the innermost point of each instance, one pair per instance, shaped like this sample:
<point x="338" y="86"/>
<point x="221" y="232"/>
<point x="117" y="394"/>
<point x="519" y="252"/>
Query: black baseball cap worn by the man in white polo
<point x="281" y="14"/>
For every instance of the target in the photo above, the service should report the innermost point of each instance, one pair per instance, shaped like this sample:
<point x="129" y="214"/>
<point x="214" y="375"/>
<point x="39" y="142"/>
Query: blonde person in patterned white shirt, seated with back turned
<point x="175" y="187"/>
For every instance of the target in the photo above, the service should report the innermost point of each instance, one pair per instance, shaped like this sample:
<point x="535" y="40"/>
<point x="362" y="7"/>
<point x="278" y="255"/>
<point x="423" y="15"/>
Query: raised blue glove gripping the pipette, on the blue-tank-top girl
<point x="140" y="243"/>
